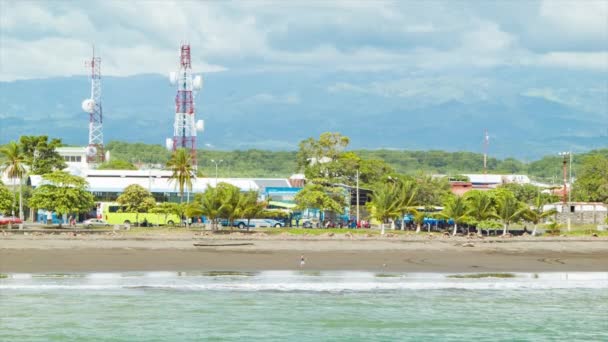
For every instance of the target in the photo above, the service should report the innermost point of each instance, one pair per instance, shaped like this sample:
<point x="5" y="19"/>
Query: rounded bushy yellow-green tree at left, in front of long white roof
<point x="63" y="194"/>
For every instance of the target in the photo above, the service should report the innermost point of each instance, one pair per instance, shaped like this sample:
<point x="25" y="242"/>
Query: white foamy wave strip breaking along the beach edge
<point x="299" y="283"/>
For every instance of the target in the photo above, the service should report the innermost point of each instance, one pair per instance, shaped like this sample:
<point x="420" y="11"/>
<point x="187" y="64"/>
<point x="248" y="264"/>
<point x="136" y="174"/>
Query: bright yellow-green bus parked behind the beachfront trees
<point x="114" y="213"/>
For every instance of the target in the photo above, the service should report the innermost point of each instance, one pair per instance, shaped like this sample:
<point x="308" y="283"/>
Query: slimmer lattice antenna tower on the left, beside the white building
<point x="92" y="105"/>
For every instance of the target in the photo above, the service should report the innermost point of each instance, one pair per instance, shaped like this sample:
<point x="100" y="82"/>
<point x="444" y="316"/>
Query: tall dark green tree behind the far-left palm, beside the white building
<point x="41" y="154"/>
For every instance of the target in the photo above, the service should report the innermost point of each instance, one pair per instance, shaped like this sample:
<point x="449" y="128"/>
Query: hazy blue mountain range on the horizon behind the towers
<point x="275" y="110"/>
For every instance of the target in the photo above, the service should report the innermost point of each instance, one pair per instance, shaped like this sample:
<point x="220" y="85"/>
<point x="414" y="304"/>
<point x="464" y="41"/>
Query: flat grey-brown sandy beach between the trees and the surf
<point x="177" y="252"/>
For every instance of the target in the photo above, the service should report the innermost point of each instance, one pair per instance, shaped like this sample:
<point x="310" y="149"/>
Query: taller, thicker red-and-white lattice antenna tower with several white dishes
<point x="185" y="126"/>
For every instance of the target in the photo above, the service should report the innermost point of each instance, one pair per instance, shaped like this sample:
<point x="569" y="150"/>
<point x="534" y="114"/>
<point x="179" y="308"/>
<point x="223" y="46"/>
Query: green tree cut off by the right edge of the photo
<point x="591" y="185"/>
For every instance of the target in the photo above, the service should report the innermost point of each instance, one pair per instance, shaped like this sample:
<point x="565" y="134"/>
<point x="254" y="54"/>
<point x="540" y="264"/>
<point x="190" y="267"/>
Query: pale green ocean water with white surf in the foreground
<point x="303" y="306"/>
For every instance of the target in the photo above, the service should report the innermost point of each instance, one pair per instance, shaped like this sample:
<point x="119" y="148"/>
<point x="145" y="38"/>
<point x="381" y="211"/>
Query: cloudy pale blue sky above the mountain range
<point x="437" y="50"/>
